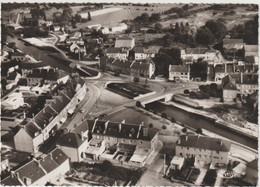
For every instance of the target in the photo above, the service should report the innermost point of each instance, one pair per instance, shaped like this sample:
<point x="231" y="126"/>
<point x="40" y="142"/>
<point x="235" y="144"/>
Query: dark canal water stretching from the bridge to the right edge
<point x="196" y="121"/>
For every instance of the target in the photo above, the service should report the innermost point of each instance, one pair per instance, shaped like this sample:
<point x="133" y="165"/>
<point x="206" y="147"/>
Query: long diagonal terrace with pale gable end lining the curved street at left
<point x="44" y="124"/>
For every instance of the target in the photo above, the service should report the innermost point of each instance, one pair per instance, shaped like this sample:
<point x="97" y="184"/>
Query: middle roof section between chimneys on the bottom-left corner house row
<point x="31" y="170"/>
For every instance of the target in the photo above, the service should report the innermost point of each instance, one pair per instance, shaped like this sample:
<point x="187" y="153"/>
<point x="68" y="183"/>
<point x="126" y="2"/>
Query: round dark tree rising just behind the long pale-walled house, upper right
<point x="205" y="37"/>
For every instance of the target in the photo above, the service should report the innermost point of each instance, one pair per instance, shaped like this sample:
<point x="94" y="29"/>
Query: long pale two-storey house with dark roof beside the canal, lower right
<point x="204" y="149"/>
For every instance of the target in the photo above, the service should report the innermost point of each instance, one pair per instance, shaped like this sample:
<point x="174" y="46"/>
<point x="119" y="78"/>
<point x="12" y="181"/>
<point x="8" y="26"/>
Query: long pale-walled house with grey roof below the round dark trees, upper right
<point x="190" y="55"/>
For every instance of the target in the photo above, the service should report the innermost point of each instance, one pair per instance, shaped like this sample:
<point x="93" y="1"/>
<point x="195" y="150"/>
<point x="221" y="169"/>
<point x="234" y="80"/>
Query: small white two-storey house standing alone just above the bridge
<point x="179" y="73"/>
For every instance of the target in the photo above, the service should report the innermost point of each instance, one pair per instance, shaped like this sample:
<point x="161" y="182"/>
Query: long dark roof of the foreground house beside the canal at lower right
<point x="205" y="142"/>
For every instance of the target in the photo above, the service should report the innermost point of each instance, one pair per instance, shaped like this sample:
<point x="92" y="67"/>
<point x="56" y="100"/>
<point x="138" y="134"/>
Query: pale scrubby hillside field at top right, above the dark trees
<point x="200" y="18"/>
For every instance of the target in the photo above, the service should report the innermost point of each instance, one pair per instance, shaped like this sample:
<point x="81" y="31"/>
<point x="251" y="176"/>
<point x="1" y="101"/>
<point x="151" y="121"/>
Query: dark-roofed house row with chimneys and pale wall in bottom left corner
<point x="38" y="172"/>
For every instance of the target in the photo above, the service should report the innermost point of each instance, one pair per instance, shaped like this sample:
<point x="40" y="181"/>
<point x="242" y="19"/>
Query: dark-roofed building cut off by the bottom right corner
<point x="252" y="173"/>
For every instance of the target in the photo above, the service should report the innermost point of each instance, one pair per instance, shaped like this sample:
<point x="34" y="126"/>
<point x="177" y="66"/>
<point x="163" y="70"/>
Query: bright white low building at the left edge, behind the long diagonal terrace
<point x="12" y="101"/>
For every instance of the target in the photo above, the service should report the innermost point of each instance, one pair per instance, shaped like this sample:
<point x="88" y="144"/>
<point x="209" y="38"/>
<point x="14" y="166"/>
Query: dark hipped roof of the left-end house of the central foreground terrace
<point x="71" y="140"/>
